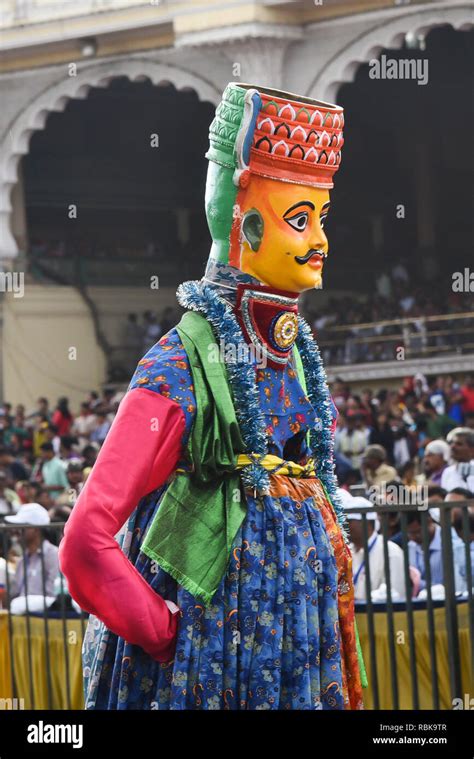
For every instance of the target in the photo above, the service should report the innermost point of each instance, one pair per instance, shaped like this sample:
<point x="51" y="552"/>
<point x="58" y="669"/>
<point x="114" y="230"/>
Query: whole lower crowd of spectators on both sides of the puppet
<point x="420" y="433"/>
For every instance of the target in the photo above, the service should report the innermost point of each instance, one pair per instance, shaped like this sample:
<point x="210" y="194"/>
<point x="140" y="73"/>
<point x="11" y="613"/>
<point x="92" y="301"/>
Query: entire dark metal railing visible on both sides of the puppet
<point x="26" y="673"/>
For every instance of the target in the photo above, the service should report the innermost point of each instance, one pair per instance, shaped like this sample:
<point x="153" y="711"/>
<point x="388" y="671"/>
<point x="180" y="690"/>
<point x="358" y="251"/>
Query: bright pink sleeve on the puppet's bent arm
<point x="139" y="454"/>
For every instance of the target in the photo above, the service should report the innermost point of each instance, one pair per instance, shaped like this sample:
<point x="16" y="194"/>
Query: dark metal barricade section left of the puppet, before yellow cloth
<point x="46" y="599"/>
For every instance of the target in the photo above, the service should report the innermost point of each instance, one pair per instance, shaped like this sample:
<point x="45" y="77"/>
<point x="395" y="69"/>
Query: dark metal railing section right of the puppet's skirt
<point x="412" y="607"/>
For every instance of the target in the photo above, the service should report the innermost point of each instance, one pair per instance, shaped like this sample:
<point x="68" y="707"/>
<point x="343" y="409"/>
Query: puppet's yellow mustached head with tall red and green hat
<point x="273" y="156"/>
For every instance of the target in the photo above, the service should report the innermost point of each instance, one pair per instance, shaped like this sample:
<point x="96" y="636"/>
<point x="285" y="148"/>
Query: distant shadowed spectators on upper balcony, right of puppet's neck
<point x="395" y="296"/>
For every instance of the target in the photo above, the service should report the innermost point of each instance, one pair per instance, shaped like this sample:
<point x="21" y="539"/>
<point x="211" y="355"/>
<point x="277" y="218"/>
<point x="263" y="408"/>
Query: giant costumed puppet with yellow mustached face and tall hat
<point x="230" y="584"/>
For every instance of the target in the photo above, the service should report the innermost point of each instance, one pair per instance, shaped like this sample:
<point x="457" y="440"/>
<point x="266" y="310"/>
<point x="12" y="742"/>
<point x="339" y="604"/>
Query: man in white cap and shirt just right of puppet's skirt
<point x="376" y="554"/>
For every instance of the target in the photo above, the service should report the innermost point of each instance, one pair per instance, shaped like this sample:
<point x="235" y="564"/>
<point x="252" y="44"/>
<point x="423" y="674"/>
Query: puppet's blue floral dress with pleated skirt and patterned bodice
<point x="271" y="637"/>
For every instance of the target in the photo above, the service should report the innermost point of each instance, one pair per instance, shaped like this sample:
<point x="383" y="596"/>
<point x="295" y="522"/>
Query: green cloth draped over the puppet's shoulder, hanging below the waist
<point x="200" y="513"/>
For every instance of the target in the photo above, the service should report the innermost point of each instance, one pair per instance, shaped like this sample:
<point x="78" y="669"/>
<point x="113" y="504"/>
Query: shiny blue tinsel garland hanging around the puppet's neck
<point x="204" y="299"/>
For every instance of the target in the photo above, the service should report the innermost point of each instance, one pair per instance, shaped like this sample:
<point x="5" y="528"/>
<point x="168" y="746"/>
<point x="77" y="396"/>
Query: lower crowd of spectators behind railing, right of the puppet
<point x="409" y="446"/>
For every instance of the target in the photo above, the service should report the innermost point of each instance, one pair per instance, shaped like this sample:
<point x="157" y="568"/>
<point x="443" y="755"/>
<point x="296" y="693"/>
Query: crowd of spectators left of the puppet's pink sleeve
<point x="46" y="455"/>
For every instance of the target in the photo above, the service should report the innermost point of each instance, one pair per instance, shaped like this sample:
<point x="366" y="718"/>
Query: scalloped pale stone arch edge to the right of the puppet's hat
<point x="342" y="66"/>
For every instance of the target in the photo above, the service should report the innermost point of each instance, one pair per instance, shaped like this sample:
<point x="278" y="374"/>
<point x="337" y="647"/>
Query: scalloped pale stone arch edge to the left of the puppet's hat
<point x="16" y="140"/>
